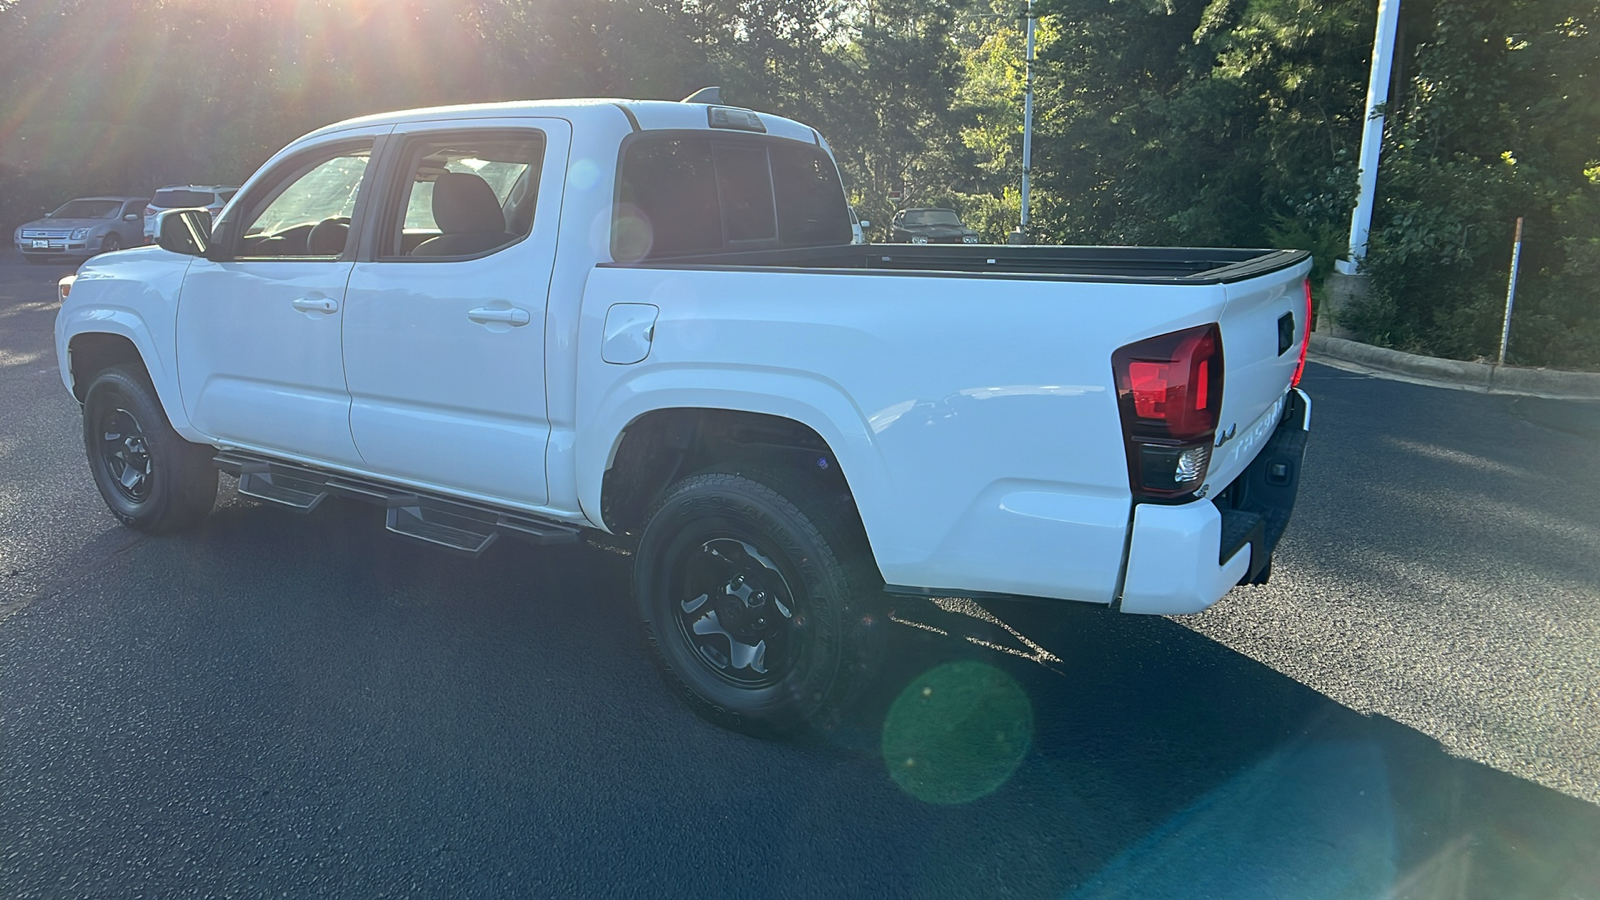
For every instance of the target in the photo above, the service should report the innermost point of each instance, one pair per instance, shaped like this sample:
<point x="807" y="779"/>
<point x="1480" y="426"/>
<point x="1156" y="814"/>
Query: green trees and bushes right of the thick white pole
<point x="1502" y="119"/>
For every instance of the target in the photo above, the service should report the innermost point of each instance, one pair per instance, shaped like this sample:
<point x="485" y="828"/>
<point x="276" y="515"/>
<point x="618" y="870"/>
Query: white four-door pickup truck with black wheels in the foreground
<point x="649" y="319"/>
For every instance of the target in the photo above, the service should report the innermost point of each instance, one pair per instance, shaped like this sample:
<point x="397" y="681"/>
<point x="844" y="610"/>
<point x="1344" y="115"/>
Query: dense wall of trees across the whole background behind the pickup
<point x="1158" y="121"/>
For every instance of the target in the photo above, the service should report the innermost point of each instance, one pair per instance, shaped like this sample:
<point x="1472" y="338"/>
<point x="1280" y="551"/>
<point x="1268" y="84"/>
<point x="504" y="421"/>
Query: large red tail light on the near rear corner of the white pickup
<point x="1170" y="395"/>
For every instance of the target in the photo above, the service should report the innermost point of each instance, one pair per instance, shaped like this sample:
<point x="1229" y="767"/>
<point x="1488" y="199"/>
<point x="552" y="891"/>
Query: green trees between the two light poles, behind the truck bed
<point x="1212" y="123"/>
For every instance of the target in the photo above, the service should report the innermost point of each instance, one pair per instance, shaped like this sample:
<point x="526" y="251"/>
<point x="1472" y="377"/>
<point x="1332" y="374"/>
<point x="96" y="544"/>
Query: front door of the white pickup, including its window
<point x="260" y="332"/>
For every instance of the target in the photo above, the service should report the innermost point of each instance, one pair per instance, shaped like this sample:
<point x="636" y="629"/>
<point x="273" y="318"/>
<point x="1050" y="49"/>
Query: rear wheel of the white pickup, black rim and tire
<point x="759" y="601"/>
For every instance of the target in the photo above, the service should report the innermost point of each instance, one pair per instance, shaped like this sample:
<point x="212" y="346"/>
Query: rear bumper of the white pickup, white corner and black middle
<point x="1185" y="558"/>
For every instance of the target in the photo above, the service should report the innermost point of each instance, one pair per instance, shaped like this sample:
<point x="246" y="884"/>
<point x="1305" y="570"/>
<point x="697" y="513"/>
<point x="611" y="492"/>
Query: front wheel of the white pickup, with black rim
<point x="151" y="478"/>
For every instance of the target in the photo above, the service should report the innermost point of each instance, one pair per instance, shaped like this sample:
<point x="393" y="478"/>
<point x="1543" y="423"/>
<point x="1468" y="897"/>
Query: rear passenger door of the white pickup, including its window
<point x="444" y="326"/>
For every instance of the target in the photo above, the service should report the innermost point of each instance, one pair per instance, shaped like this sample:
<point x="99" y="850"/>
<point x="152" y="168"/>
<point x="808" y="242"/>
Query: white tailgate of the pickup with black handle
<point x="1265" y="326"/>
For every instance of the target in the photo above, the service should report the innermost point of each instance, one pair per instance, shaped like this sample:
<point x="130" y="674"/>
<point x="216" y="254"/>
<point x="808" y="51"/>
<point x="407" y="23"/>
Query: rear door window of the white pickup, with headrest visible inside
<point x="466" y="196"/>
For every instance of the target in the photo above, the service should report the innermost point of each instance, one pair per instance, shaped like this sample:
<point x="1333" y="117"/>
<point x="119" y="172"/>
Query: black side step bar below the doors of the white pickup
<point x="438" y="521"/>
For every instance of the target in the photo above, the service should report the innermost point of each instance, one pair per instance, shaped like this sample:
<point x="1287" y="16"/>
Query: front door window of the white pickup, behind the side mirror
<point x="310" y="212"/>
